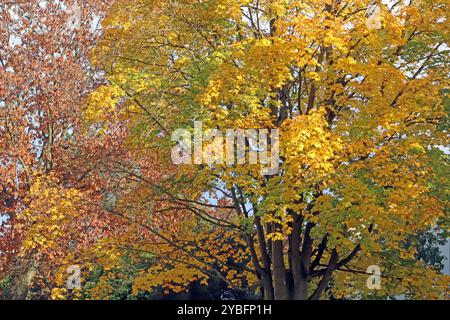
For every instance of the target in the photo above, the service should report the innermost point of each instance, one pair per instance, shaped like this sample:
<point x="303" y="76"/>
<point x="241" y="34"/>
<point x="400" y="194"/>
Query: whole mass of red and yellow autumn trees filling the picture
<point x="358" y="91"/>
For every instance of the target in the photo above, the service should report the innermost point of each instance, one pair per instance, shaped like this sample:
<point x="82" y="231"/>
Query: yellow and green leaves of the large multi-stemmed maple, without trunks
<point x="357" y="107"/>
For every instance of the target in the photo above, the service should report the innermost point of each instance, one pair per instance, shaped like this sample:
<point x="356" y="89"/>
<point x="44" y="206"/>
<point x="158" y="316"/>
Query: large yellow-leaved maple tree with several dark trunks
<point x="358" y="92"/>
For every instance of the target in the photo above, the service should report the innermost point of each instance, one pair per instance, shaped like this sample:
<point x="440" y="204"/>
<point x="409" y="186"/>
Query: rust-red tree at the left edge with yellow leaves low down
<point x="44" y="75"/>
